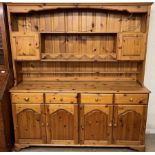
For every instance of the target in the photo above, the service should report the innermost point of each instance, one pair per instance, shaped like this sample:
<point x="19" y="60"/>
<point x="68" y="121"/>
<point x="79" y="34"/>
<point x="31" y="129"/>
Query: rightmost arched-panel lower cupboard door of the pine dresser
<point x="129" y="124"/>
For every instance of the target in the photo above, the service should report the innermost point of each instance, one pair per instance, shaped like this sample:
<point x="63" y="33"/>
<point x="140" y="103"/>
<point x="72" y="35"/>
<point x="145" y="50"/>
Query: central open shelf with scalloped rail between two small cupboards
<point x="78" y="47"/>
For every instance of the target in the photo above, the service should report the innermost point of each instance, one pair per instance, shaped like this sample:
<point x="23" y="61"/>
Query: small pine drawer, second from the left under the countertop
<point x="60" y="98"/>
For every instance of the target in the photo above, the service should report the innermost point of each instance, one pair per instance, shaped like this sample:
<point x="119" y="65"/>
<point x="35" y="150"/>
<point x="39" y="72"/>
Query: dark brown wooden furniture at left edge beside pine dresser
<point x="6" y="82"/>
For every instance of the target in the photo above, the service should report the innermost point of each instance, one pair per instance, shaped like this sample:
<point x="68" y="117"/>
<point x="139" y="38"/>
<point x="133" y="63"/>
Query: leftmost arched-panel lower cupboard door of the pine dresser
<point x="29" y="121"/>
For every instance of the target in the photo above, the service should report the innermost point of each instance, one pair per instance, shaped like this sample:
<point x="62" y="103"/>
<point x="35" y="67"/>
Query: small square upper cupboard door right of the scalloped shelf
<point x="131" y="46"/>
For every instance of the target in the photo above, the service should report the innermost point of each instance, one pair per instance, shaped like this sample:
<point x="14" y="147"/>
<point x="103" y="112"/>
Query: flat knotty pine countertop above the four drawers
<point x="78" y="86"/>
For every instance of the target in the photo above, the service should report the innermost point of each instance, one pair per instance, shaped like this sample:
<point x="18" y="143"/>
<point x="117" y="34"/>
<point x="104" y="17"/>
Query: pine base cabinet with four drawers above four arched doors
<point x="93" y="120"/>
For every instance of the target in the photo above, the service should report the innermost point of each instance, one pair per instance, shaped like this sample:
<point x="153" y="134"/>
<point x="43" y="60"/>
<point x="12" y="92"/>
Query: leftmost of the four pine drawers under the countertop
<point x="27" y="98"/>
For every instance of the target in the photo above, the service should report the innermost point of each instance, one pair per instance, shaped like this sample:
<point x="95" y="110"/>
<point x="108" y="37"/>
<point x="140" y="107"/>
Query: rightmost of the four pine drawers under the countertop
<point x="131" y="98"/>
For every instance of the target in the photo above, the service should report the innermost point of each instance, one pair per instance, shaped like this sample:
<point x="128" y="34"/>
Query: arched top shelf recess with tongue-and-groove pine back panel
<point x="85" y="20"/>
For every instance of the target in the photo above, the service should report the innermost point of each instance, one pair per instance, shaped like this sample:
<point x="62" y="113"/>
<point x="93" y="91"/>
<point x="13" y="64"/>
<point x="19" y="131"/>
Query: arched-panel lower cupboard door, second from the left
<point x="62" y="124"/>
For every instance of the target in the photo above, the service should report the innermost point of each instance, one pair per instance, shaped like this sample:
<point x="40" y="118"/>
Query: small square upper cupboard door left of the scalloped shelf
<point x="25" y="46"/>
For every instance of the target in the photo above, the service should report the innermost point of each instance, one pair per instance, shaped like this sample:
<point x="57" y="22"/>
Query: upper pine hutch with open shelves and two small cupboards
<point x="79" y="43"/>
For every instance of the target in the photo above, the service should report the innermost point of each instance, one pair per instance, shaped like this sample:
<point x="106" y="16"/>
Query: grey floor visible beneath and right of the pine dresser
<point x="150" y="147"/>
